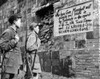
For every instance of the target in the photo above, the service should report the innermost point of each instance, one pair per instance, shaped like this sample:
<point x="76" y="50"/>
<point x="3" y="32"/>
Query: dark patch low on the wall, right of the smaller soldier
<point x="50" y="62"/>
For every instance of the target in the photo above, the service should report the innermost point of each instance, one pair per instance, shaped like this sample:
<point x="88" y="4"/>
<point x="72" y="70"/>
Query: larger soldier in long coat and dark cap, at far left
<point x="9" y="44"/>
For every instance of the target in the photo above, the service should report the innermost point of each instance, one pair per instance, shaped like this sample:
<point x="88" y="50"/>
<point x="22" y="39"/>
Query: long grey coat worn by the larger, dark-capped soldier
<point x="13" y="59"/>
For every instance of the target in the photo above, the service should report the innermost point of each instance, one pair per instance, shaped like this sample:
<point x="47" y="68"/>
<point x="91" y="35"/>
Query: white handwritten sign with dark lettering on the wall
<point x="75" y="19"/>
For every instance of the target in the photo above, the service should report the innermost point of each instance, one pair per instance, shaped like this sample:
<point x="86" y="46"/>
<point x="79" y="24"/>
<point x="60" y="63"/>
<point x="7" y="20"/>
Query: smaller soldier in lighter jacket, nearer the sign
<point x="33" y="43"/>
